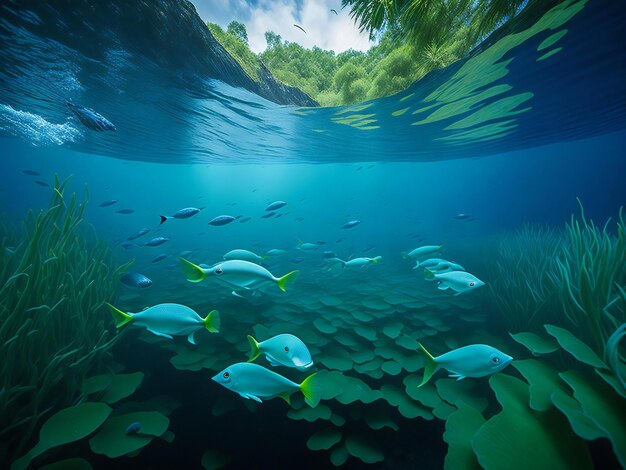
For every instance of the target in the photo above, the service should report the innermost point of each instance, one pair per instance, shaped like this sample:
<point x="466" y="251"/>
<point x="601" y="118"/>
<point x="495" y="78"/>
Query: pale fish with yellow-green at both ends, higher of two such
<point x="243" y="275"/>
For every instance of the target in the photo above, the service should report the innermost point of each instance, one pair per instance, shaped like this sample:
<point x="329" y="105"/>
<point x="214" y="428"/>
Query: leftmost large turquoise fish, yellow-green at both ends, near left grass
<point x="168" y="320"/>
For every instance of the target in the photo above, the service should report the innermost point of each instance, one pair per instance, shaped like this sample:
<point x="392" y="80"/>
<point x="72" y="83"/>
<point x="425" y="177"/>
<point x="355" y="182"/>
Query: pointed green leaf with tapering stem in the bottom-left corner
<point x="68" y="425"/>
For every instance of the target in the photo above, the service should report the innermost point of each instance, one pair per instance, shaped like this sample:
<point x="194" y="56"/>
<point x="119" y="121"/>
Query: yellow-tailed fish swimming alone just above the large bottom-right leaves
<point x="476" y="360"/>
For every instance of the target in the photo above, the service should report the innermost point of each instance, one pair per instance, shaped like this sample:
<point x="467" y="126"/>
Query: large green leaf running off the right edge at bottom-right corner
<point x="604" y="407"/>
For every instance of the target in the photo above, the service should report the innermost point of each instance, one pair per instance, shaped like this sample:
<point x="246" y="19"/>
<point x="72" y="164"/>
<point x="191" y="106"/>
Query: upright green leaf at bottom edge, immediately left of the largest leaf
<point x="461" y="426"/>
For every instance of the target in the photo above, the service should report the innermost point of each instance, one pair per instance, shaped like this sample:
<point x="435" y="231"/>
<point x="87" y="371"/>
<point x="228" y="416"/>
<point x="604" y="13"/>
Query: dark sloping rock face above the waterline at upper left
<point x="168" y="32"/>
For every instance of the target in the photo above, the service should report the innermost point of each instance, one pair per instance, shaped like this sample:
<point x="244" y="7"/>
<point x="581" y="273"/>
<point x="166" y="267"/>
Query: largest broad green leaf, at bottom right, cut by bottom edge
<point x="520" y="438"/>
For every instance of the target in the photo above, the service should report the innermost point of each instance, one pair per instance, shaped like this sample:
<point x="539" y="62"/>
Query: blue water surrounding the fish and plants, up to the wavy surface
<point x="558" y="137"/>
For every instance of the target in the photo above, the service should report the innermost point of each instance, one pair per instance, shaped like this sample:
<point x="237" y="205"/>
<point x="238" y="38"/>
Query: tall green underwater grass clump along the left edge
<point x="54" y="280"/>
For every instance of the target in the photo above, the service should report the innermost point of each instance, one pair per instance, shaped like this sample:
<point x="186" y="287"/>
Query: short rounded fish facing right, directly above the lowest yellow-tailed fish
<point x="282" y="350"/>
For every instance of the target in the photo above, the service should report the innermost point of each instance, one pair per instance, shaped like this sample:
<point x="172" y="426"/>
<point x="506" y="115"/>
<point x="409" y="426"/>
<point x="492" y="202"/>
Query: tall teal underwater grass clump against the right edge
<point x="591" y="275"/>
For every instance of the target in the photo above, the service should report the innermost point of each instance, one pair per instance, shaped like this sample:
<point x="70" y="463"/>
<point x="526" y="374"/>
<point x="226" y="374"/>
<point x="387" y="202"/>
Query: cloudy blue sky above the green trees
<point x="323" y="28"/>
